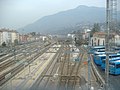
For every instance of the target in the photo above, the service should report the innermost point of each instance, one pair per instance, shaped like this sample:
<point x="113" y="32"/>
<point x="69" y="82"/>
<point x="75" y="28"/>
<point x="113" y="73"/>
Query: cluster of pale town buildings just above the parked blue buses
<point x="97" y="39"/>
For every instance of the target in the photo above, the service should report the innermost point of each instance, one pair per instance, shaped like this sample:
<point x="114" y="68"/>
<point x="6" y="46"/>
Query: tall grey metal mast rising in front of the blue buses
<point x="107" y="43"/>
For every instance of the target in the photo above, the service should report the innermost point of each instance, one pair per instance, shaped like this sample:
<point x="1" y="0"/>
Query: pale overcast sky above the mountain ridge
<point x="15" y="14"/>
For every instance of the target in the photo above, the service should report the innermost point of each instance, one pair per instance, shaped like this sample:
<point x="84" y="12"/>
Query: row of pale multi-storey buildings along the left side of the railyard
<point x="11" y="37"/>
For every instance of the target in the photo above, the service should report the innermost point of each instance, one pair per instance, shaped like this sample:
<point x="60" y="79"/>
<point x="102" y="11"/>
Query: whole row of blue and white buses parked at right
<point x="99" y="58"/>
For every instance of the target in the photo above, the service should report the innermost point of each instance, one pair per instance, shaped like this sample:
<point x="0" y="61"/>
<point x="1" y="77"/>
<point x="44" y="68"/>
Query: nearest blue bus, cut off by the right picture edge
<point x="114" y="67"/>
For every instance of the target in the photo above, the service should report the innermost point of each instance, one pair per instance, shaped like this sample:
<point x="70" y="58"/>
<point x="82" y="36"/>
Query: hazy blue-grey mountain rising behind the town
<point x="63" y="22"/>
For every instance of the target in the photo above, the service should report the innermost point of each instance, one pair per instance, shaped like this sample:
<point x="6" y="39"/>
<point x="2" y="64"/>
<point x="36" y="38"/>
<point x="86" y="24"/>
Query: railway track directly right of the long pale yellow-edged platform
<point x="46" y="74"/>
